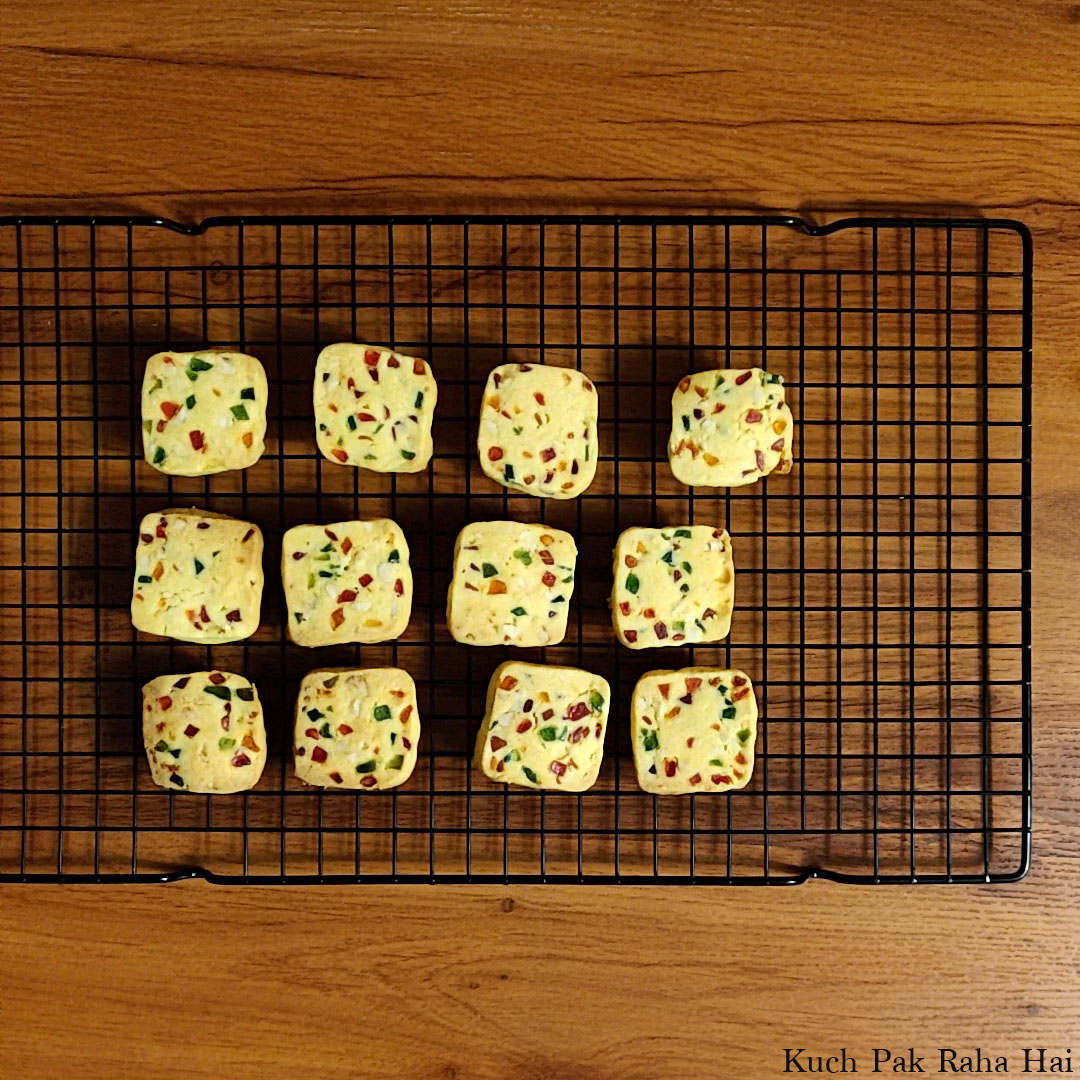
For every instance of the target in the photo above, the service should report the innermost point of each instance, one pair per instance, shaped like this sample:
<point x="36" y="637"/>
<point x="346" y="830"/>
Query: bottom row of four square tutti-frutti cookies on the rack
<point x="693" y="731"/>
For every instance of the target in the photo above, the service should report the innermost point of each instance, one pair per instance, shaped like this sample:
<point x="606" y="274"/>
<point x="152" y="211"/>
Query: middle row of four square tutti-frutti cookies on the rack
<point x="199" y="578"/>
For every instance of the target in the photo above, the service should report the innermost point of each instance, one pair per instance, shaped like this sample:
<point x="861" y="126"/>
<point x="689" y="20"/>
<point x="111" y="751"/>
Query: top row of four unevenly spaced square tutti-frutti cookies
<point x="206" y="413"/>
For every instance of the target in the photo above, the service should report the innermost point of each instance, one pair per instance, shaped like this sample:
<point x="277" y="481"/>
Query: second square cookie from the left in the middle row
<point x="349" y="582"/>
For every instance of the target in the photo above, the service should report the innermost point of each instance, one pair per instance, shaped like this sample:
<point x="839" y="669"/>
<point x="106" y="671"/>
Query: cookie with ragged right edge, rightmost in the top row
<point x="730" y="428"/>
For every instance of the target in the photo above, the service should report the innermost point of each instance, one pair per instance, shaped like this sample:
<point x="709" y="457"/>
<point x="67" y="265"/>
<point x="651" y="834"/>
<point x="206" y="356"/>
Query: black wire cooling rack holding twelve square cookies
<point x="883" y="602"/>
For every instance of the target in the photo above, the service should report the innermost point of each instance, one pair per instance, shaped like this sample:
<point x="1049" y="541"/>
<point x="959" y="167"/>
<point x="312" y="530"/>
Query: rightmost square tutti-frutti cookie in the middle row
<point x="672" y="587"/>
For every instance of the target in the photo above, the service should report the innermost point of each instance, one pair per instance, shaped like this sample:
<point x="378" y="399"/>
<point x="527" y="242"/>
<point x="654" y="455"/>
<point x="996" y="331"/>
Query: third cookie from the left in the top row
<point x="538" y="430"/>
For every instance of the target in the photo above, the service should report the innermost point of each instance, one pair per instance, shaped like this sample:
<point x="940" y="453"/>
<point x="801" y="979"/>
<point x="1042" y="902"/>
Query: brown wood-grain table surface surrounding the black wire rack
<point x="820" y="109"/>
